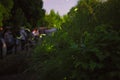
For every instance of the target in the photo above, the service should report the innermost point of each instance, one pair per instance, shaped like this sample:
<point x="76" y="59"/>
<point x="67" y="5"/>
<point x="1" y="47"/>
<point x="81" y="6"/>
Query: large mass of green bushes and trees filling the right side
<point x="87" y="47"/>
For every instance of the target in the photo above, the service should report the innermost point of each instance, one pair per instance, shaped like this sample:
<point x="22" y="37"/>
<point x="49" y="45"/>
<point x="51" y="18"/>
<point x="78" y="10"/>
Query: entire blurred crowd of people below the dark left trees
<point x="13" y="41"/>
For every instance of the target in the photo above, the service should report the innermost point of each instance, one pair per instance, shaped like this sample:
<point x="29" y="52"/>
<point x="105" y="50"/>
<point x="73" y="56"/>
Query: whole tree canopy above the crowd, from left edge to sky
<point x="21" y="13"/>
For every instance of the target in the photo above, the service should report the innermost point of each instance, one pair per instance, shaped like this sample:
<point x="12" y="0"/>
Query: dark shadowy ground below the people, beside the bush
<point x="14" y="66"/>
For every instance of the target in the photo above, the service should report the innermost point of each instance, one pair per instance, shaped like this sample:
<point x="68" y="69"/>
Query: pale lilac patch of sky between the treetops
<point x="61" y="6"/>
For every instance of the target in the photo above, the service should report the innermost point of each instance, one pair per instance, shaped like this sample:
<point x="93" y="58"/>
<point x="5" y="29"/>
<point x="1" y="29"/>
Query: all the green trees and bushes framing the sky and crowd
<point x="86" y="45"/>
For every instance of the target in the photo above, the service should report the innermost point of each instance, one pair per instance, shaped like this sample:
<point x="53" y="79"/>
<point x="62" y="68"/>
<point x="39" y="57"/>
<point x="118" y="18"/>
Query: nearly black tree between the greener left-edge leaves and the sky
<point x="28" y="11"/>
